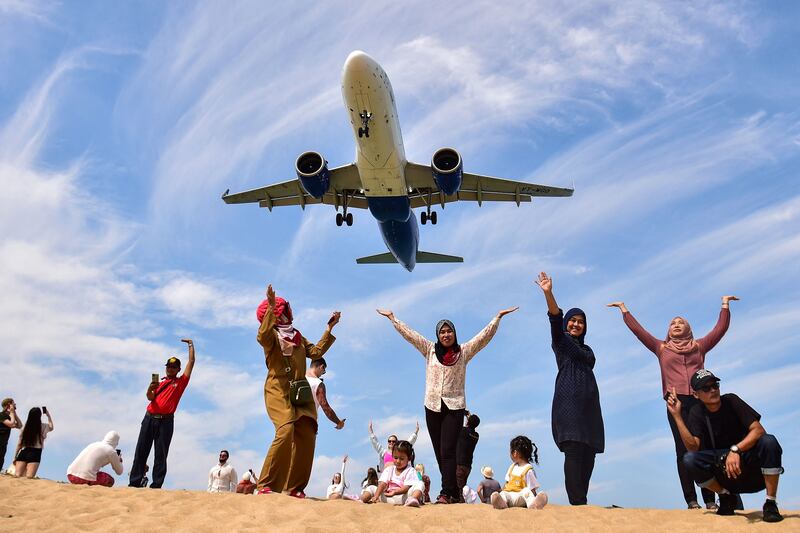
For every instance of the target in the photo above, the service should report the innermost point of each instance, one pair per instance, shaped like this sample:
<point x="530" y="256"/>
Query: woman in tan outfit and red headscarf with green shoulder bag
<point x="287" y="466"/>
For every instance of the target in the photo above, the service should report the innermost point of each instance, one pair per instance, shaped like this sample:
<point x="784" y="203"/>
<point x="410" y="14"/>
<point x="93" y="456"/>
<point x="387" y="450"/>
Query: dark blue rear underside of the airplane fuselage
<point x="398" y="227"/>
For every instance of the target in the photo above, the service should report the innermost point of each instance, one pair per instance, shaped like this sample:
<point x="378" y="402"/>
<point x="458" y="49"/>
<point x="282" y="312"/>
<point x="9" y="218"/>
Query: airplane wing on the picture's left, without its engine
<point x="344" y="180"/>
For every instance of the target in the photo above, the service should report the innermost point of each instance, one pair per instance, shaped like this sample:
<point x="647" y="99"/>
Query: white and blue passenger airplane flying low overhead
<point x="381" y="179"/>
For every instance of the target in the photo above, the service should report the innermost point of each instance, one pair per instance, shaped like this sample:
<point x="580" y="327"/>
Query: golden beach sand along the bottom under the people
<point x="42" y="505"/>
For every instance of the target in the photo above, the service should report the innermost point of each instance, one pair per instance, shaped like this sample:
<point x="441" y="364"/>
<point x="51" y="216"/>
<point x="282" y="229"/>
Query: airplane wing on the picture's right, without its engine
<point x="474" y="187"/>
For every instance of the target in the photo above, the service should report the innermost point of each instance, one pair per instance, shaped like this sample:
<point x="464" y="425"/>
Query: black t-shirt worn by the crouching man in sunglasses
<point x="730" y="423"/>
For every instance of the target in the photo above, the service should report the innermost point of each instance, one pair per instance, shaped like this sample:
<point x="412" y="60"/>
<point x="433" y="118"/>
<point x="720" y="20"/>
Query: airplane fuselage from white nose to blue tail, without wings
<point x="380" y="156"/>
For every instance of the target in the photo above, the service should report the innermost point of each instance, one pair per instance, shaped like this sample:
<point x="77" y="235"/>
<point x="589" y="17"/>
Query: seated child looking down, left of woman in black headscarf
<point x="399" y="483"/>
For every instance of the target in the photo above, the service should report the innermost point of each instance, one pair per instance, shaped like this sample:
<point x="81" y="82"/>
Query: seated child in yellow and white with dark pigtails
<point x="521" y="486"/>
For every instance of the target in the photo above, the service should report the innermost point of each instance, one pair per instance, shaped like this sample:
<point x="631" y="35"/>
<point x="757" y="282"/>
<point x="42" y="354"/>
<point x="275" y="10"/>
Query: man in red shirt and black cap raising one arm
<point x="158" y="421"/>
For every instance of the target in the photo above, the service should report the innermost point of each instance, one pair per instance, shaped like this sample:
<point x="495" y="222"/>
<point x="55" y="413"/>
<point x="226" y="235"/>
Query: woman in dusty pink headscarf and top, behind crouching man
<point x="680" y="355"/>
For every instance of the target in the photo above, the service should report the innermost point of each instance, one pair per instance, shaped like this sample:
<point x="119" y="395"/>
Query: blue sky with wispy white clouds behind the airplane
<point x="121" y="124"/>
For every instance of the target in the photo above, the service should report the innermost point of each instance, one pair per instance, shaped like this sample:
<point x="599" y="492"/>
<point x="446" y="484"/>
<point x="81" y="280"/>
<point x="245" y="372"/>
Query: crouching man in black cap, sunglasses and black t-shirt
<point x="729" y="451"/>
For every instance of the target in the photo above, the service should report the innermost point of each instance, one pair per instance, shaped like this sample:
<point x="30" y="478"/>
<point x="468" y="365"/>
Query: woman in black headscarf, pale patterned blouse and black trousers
<point x="445" y="375"/>
